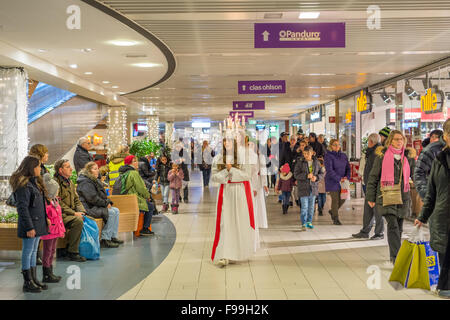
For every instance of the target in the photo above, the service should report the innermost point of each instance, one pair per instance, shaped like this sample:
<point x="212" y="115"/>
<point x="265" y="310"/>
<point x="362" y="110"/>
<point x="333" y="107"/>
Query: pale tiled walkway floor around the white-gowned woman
<point x="323" y="263"/>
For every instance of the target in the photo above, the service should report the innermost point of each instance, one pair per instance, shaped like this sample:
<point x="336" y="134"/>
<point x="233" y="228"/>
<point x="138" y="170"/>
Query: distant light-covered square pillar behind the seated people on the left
<point x="117" y="129"/>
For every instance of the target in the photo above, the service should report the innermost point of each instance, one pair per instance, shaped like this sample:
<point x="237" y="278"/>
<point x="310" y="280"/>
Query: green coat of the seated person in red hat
<point x="134" y="184"/>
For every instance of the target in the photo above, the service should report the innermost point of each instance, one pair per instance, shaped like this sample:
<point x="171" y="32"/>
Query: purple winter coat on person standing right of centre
<point x="337" y="167"/>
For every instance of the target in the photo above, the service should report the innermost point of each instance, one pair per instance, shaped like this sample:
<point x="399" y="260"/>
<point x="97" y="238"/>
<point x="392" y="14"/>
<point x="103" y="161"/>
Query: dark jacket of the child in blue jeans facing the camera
<point x="306" y="187"/>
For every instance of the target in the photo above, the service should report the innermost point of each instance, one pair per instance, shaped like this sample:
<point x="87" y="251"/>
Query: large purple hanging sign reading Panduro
<point x="299" y="35"/>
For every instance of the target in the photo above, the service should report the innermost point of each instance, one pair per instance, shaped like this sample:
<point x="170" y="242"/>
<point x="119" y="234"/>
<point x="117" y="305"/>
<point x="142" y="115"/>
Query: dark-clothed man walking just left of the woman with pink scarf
<point x="370" y="214"/>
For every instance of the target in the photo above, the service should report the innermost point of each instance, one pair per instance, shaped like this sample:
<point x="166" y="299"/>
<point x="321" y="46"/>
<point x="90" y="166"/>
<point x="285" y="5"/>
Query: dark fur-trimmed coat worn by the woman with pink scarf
<point x="374" y="184"/>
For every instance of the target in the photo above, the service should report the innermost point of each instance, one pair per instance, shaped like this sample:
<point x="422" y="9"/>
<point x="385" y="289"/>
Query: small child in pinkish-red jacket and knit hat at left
<point x="56" y="229"/>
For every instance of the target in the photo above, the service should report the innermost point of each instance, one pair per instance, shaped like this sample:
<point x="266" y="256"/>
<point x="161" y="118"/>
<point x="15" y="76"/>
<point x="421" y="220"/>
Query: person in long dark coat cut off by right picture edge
<point x="436" y="210"/>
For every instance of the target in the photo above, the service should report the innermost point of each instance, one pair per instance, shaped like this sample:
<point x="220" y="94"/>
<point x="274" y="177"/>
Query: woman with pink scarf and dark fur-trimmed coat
<point x="393" y="165"/>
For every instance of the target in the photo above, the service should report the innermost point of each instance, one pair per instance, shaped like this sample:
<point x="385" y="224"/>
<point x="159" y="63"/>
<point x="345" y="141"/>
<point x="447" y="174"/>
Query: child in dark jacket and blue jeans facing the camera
<point x="307" y="172"/>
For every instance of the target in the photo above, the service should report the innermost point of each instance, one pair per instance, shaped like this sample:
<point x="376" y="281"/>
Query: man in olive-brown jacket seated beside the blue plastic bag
<point x="71" y="207"/>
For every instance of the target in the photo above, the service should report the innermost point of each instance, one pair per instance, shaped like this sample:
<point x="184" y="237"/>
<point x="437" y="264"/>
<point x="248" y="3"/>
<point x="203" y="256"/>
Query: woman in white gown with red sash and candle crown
<point x="235" y="223"/>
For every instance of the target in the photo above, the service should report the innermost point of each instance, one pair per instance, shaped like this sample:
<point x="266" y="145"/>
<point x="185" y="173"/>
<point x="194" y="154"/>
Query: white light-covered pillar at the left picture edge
<point x="13" y="123"/>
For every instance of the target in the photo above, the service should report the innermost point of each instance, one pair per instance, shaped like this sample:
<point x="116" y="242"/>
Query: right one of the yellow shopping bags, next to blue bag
<point x="418" y="272"/>
